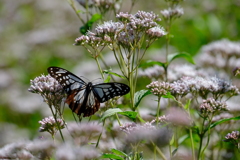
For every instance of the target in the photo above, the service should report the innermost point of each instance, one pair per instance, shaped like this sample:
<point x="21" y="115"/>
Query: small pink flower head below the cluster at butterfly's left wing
<point x="50" y="125"/>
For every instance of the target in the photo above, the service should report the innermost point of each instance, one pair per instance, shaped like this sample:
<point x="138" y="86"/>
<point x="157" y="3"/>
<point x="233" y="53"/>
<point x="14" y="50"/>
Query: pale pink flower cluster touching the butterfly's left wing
<point x="48" y="88"/>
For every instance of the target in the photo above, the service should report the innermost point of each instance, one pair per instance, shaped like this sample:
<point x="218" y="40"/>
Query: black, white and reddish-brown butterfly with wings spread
<point x="85" y="98"/>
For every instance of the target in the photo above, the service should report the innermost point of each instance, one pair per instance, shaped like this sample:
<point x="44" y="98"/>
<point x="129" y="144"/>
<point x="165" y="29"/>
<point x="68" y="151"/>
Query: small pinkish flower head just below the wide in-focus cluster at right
<point x="211" y="106"/>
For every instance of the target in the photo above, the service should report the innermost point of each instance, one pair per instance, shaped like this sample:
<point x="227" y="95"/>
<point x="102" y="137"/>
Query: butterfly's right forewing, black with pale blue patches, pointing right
<point x="106" y="91"/>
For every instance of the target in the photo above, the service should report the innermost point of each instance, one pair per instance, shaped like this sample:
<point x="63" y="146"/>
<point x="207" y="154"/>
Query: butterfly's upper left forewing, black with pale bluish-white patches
<point x="68" y="80"/>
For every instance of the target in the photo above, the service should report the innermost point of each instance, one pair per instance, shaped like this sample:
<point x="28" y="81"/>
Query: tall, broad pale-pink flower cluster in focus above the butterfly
<point x="127" y="32"/>
